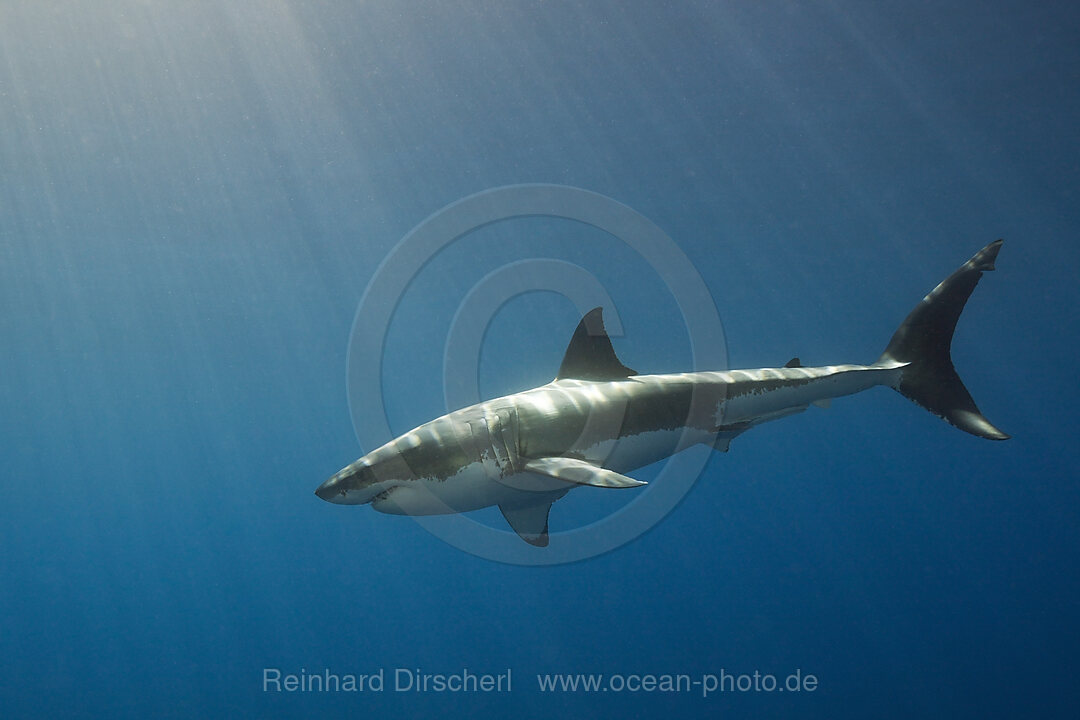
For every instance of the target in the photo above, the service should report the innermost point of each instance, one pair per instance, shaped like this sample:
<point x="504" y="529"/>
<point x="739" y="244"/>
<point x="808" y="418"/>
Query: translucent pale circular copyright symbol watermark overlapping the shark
<point x="466" y="336"/>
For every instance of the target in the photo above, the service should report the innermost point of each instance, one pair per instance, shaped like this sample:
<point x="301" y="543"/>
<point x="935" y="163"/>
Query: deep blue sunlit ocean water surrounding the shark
<point x="194" y="197"/>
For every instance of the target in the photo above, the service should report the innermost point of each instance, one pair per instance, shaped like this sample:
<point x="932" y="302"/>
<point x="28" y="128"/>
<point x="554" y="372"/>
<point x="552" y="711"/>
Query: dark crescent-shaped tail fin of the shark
<point x="924" y="341"/>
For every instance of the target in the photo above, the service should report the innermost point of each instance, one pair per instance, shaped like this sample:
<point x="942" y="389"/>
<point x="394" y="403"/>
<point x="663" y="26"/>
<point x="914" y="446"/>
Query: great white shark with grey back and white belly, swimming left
<point x="599" y="420"/>
